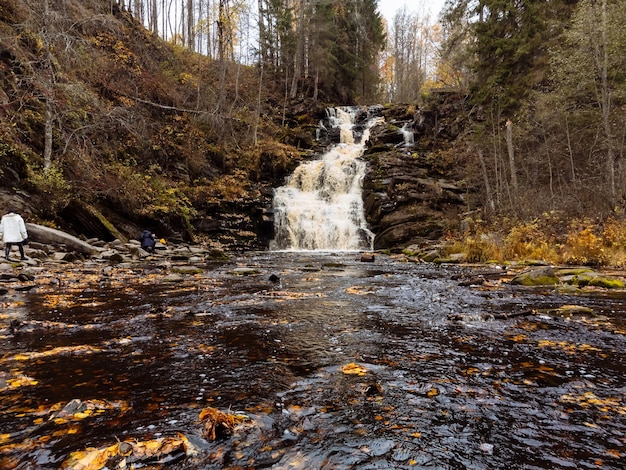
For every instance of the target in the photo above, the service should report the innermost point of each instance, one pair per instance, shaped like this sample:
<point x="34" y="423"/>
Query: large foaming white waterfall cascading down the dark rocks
<point x="321" y="206"/>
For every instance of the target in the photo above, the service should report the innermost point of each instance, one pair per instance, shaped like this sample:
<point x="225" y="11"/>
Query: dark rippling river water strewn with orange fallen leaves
<point x="452" y="375"/>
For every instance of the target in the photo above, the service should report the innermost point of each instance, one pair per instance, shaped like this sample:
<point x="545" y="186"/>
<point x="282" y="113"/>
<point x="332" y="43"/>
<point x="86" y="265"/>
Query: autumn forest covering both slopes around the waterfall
<point x="183" y="114"/>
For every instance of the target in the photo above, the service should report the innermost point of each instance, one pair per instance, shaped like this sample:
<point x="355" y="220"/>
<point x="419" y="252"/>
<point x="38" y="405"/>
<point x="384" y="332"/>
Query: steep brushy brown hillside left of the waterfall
<point x="142" y="133"/>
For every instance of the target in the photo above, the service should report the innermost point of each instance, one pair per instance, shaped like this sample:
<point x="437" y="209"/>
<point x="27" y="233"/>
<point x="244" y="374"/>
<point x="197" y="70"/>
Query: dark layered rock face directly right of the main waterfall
<point x="411" y="193"/>
